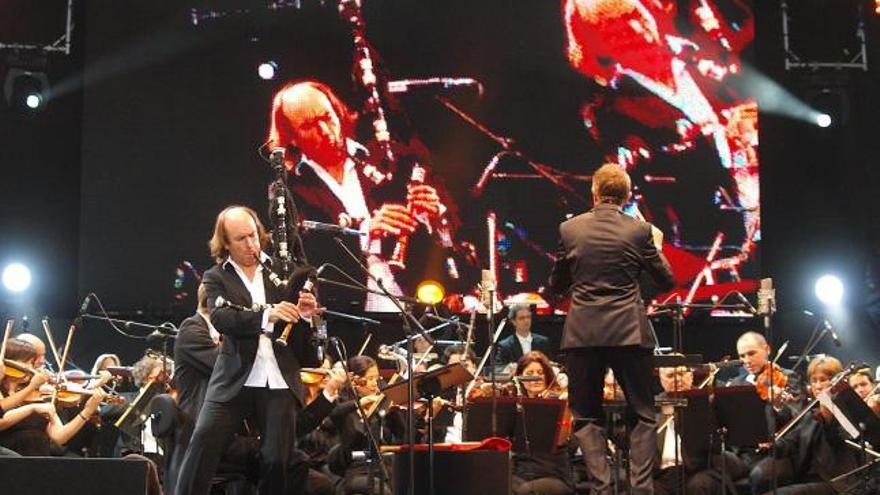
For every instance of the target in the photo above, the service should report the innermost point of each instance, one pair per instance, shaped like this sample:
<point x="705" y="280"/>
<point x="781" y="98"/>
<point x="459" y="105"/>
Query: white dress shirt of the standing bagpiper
<point x="265" y="371"/>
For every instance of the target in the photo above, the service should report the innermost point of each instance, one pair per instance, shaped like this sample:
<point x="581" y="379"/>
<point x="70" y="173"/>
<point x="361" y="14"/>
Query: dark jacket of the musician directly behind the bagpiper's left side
<point x="194" y="356"/>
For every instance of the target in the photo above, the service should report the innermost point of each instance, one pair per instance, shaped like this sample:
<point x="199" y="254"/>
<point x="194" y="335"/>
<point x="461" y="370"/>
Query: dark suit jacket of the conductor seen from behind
<point x="601" y="255"/>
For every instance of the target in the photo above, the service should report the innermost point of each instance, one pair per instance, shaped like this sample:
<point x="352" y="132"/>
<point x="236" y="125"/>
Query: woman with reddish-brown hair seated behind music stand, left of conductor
<point x="542" y="474"/>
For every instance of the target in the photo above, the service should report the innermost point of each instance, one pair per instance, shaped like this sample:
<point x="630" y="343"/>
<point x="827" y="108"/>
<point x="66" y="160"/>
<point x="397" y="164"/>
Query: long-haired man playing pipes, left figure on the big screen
<point x="328" y="184"/>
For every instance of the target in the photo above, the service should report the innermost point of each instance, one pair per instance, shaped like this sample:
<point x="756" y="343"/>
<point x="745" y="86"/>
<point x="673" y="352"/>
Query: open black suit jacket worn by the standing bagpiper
<point x="241" y="332"/>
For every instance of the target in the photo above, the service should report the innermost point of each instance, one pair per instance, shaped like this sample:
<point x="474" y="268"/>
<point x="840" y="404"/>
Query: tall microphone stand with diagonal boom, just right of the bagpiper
<point x="408" y="320"/>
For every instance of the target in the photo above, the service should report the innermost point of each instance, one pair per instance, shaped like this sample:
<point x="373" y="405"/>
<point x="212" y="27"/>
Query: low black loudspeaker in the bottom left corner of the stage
<point x="72" y="476"/>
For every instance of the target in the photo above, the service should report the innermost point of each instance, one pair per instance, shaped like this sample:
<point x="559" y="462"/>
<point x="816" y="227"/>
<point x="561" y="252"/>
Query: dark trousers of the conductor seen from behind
<point x="633" y="369"/>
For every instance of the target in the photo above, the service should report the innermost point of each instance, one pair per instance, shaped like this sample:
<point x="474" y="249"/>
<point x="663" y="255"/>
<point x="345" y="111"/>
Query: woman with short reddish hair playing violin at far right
<point x="815" y="446"/>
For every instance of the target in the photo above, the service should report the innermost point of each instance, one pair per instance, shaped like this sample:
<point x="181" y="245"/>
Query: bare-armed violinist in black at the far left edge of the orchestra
<point x="29" y="429"/>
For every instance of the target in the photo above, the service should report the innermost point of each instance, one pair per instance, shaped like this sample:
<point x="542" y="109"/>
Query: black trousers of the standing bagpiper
<point x="273" y="412"/>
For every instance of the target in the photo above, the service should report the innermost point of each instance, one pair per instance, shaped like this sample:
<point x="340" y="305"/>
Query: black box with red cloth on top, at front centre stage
<point x="472" y="472"/>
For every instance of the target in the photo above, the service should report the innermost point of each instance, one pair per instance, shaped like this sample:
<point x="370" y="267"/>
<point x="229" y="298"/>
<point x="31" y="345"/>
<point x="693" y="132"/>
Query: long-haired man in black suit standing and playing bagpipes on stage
<point x="254" y="377"/>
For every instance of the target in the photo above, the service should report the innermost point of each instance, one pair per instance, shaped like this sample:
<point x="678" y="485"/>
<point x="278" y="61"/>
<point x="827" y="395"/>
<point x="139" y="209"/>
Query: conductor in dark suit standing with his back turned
<point x="601" y="258"/>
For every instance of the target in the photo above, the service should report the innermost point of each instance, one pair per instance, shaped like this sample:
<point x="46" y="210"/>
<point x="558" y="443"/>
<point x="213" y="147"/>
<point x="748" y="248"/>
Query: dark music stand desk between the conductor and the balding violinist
<point x="742" y="414"/>
